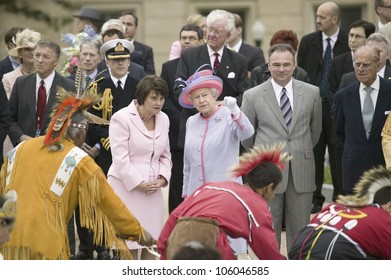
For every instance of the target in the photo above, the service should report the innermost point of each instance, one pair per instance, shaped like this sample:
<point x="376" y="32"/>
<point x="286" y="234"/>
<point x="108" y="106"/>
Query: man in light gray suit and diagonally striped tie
<point x="297" y="123"/>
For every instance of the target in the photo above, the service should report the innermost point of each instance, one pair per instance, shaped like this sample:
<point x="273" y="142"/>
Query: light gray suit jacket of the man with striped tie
<point x="261" y="106"/>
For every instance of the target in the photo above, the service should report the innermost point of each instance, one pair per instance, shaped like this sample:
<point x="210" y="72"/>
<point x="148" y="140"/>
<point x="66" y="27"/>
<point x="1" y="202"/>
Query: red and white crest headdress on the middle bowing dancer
<point x="248" y="161"/>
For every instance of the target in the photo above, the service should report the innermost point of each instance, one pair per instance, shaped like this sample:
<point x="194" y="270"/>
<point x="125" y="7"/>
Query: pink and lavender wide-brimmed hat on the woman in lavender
<point x="200" y="79"/>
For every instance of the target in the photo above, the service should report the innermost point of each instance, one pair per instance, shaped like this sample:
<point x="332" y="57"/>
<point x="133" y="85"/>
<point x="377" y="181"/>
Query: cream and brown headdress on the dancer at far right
<point x="370" y="183"/>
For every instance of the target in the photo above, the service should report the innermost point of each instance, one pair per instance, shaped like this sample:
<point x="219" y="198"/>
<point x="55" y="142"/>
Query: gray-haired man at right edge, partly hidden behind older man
<point x="382" y="44"/>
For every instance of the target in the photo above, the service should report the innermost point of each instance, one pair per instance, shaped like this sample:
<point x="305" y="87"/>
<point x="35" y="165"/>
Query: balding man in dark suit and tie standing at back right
<point x="314" y="57"/>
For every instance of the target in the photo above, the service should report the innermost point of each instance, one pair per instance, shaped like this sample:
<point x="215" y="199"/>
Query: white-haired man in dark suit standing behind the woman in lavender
<point x="230" y="66"/>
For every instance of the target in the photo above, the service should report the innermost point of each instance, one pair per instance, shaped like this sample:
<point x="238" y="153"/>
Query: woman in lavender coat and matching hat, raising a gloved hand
<point x="213" y="136"/>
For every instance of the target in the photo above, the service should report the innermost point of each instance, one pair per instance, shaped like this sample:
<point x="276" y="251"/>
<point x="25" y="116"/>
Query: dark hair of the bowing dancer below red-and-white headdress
<point x="264" y="174"/>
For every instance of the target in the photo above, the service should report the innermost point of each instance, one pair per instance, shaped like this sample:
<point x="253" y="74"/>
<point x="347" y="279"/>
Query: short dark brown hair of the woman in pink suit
<point x="148" y="84"/>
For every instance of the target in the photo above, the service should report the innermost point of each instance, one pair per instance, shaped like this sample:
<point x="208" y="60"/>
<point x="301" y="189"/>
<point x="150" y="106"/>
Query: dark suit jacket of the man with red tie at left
<point x="23" y="105"/>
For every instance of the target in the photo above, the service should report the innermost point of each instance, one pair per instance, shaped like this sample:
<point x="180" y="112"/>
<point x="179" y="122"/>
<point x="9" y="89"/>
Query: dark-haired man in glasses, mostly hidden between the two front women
<point x="190" y="36"/>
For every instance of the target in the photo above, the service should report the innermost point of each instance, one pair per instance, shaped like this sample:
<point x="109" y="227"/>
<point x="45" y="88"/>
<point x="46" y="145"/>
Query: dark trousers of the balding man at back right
<point x="325" y="141"/>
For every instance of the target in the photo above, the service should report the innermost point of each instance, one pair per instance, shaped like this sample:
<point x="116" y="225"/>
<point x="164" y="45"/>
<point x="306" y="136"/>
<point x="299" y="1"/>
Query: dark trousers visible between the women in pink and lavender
<point x="176" y="182"/>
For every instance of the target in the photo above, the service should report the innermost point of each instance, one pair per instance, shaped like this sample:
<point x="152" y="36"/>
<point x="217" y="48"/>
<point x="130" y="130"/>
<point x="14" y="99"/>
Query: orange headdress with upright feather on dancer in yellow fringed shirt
<point x="67" y="104"/>
